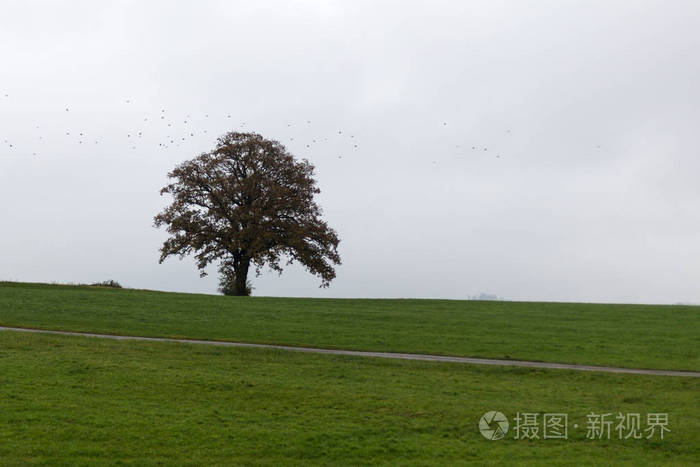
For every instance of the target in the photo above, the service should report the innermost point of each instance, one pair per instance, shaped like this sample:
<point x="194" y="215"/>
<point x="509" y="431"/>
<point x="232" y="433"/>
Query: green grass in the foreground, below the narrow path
<point x="84" y="401"/>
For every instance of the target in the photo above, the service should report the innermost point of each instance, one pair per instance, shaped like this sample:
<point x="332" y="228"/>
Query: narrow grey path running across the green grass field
<point x="358" y="353"/>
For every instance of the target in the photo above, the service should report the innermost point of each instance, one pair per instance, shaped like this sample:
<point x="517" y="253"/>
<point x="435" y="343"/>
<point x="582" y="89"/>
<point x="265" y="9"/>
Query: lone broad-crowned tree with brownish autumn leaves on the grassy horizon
<point x="247" y="202"/>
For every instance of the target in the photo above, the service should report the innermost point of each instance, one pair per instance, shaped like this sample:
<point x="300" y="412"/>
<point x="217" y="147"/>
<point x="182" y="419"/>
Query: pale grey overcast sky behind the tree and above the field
<point x="583" y="184"/>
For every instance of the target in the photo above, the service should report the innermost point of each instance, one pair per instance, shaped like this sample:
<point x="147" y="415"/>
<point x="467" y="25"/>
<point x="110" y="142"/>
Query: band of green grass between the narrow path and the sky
<point x="663" y="337"/>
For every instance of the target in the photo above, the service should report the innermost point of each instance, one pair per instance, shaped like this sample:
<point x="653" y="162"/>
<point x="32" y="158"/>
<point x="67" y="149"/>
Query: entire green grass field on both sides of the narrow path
<point x="85" y="401"/>
